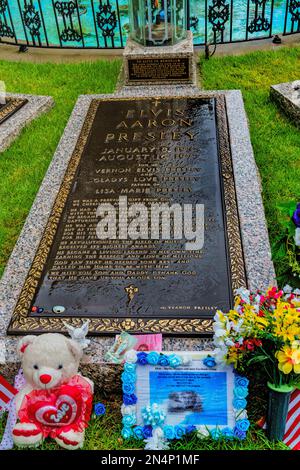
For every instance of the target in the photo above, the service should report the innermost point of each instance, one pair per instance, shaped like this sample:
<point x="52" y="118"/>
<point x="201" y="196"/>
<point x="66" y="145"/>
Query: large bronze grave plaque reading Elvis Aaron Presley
<point x="145" y="261"/>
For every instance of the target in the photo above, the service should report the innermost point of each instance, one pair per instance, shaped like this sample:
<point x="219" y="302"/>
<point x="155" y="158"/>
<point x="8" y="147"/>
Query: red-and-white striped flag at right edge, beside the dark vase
<point x="292" y="429"/>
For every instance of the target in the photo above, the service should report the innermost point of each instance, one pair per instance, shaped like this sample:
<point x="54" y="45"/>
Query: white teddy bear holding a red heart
<point x="56" y="400"/>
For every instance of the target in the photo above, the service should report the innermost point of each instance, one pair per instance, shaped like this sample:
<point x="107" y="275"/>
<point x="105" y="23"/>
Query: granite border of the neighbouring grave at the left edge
<point x="11" y="128"/>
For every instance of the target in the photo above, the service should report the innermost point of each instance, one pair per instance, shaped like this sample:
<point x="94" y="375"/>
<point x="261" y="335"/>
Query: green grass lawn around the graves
<point x="276" y="145"/>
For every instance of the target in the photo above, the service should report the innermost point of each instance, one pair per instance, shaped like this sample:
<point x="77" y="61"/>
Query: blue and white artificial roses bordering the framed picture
<point x="155" y="432"/>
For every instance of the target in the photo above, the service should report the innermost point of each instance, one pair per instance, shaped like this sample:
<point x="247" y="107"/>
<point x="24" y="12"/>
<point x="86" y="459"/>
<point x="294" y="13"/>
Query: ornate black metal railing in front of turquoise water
<point x="104" y="23"/>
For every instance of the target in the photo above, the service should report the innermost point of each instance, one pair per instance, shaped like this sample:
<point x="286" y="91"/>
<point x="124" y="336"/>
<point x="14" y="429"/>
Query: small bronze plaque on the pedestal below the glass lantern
<point x="157" y="69"/>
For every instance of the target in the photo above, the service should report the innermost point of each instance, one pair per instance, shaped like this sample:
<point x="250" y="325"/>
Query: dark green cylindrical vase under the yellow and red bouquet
<point x="279" y="398"/>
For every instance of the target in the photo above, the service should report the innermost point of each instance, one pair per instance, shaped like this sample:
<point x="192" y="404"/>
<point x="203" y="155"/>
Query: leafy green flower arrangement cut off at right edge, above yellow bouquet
<point x="288" y="246"/>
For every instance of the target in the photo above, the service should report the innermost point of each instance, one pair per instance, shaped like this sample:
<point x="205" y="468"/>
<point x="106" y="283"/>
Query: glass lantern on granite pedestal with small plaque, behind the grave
<point x="159" y="49"/>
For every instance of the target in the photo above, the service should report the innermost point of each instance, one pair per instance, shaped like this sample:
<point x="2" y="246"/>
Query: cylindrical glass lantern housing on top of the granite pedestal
<point x="158" y="22"/>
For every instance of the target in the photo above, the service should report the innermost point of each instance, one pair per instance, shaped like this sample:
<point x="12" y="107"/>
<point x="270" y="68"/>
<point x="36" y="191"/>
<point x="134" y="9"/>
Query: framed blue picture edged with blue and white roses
<point x="192" y="391"/>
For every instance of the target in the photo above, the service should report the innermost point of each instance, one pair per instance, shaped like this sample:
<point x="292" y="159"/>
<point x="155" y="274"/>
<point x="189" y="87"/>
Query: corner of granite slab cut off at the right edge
<point x="287" y="97"/>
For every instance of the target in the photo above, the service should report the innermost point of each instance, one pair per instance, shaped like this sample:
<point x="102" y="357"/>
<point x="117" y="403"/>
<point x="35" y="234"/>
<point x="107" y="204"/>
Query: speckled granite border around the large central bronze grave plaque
<point x="259" y="266"/>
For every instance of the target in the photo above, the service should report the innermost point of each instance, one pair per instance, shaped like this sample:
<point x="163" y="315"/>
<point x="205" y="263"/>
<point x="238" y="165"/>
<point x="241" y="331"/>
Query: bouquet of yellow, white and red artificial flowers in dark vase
<point x="262" y="330"/>
